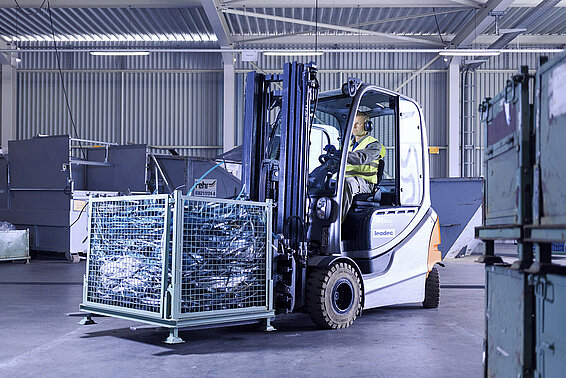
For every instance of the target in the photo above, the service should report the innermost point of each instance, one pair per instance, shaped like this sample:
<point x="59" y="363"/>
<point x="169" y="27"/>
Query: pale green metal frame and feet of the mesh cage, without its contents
<point x="170" y="314"/>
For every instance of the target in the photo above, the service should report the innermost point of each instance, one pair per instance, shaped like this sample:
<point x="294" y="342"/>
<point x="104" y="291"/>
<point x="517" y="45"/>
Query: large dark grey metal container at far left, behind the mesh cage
<point x="45" y="191"/>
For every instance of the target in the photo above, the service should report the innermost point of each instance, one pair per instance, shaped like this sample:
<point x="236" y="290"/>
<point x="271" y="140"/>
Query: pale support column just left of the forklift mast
<point x="229" y="102"/>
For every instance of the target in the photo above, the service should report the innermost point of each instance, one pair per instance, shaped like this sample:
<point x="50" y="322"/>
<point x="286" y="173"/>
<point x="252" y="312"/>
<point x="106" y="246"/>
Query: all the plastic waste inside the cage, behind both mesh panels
<point x="223" y="257"/>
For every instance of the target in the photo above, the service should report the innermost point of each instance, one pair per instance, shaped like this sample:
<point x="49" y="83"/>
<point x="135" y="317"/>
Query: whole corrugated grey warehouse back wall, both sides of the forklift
<point x="176" y="99"/>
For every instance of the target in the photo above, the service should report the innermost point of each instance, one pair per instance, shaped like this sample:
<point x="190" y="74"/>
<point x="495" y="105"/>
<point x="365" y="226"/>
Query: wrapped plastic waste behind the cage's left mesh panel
<point x="126" y="247"/>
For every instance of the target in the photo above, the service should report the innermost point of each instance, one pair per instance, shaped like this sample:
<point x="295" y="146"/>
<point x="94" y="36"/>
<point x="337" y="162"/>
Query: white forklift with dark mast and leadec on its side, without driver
<point x="385" y="251"/>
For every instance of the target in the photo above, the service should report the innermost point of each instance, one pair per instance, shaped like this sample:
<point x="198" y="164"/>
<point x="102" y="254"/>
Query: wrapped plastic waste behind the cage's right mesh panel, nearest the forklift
<point x="223" y="256"/>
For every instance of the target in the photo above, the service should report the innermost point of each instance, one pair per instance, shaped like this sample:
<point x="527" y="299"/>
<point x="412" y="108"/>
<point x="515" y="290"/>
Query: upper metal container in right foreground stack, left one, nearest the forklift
<point x="507" y="122"/>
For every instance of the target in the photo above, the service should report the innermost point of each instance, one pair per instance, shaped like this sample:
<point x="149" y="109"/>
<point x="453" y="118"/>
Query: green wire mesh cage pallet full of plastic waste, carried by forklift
<point x="178" y="261"/>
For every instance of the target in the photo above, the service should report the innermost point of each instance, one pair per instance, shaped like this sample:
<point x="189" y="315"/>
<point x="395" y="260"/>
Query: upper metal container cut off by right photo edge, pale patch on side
<point x="550" y="125"/>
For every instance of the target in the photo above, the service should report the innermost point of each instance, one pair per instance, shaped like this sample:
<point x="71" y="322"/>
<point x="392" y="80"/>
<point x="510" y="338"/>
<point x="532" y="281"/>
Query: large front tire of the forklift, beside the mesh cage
<point x="334" y="296"/>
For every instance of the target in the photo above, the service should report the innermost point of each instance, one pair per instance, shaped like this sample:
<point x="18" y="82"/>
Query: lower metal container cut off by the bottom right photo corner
<point x="550" y="294"/>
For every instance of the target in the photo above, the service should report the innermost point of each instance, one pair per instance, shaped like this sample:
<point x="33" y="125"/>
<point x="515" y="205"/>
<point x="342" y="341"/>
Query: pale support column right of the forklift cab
<point x="453" y="118"/>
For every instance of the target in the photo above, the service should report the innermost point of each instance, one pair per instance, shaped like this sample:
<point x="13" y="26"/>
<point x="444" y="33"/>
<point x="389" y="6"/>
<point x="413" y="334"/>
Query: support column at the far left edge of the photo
<point x="8" y="119"/>
